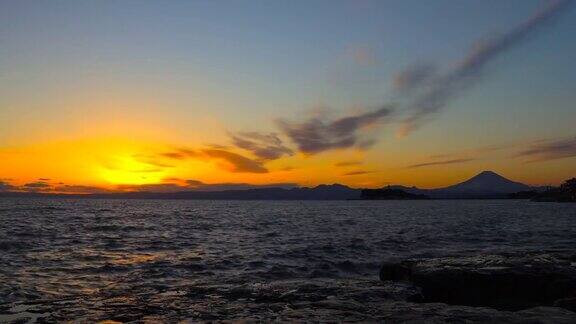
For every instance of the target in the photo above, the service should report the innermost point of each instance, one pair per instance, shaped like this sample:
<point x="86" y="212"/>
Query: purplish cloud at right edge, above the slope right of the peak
<point x="550" y="150"/>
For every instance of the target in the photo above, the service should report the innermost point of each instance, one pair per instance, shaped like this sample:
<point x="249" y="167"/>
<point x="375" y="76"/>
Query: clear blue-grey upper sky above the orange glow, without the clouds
<point x="200" y="69"/>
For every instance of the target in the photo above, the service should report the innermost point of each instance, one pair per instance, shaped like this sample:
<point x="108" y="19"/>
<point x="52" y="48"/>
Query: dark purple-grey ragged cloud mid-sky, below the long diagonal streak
<point x="319" y="134"/>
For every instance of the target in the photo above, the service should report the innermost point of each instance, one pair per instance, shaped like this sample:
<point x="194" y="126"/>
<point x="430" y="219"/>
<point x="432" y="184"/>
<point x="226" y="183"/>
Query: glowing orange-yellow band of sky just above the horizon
<point x="118" y="164"/>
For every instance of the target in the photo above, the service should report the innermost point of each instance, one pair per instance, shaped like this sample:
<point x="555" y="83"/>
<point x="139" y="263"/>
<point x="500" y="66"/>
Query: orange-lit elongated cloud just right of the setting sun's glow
<point x="232" y="162"/>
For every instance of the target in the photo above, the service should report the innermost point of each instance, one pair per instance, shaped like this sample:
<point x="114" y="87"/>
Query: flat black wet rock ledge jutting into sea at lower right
<point x="500" y="281"/>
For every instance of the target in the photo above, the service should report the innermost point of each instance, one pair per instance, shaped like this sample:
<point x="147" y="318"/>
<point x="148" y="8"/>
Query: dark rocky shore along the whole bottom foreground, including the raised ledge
<point x="504" y="288"/>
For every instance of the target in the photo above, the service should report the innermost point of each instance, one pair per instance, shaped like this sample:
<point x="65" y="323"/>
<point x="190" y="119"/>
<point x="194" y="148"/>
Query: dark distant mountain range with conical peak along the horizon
<point x="485" y="185"/>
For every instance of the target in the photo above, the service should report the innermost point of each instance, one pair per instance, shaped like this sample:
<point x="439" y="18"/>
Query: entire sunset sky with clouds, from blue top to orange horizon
<point x="103" y="95"/>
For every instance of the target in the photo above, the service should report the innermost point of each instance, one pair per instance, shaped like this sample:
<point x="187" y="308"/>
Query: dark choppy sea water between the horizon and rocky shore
<point x="165" y="260"/>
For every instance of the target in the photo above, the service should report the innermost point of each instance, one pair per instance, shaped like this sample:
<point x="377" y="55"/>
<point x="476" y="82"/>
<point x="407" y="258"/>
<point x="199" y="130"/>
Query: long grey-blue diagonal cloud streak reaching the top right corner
<point x="428" y="91"/>
